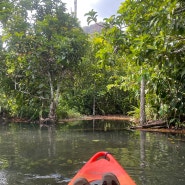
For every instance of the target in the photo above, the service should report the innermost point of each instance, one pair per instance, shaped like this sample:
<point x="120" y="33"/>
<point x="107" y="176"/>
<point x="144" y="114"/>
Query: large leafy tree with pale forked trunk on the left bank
<point x="40" y="54"/>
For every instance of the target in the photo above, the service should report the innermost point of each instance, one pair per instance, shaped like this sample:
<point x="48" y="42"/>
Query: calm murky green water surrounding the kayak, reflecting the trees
<point x="32" y="155"/>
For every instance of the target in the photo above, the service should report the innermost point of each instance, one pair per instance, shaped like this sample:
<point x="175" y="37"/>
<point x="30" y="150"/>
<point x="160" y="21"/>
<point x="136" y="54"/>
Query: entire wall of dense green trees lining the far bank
<point x="51" y="68"/>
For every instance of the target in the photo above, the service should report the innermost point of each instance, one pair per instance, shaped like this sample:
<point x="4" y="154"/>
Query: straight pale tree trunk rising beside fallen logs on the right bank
<point x="142" y="102"/>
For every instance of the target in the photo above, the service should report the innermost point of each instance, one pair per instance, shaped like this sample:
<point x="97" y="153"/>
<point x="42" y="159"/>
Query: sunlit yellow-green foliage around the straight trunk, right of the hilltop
<point x="147" y="35"/>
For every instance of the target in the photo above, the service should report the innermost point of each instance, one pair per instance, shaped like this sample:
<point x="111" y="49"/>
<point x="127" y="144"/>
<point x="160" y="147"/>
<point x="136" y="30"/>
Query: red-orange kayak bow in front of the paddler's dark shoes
<point x="98" y="165"/>
